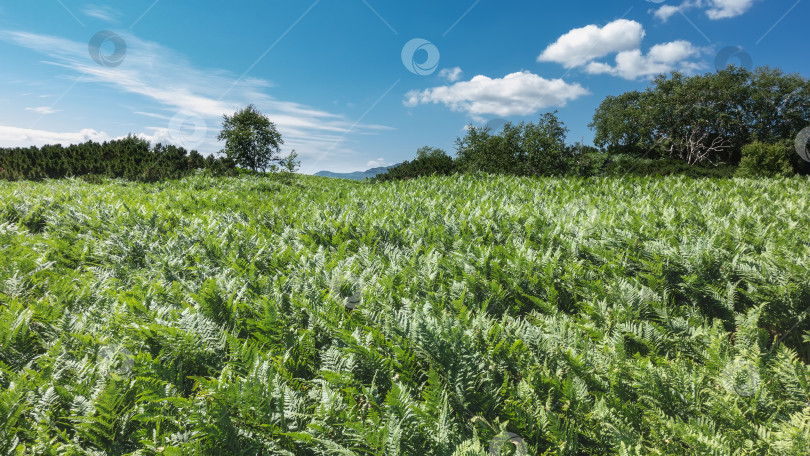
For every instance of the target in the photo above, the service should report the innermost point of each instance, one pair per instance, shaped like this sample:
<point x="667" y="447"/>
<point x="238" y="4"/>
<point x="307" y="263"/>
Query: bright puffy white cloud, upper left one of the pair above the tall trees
<point x="582" y="45"/>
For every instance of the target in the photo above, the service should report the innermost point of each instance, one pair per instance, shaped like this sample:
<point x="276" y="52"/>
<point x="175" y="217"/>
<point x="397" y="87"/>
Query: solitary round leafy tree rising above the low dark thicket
<point x="251" y="140"/>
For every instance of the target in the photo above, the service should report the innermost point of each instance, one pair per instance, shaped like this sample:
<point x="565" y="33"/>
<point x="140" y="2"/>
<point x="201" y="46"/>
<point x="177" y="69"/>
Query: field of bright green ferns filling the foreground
<point x="439" y="316"/>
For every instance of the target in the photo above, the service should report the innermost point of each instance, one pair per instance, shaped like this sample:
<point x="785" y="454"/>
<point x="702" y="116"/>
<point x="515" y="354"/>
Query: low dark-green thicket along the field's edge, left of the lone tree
<point x="130" y="158"/>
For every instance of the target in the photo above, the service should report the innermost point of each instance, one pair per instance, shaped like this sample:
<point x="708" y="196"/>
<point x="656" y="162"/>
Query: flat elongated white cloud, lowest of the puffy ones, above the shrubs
<point x="516" y="94"/>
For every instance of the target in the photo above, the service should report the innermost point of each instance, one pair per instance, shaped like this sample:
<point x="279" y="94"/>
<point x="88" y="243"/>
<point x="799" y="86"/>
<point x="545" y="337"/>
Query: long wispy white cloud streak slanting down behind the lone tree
<point x="150" y="70"/>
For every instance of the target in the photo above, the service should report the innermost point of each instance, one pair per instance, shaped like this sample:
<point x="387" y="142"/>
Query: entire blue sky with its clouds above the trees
<point x="353" y="84"/>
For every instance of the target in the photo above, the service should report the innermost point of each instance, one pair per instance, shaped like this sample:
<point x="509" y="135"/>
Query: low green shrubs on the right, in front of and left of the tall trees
<point x="529" y="149"/>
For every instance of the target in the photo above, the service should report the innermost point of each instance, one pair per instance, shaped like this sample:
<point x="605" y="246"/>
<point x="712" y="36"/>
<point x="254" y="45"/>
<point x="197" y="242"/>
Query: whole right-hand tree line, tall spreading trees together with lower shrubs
<point x="732" y="122"/>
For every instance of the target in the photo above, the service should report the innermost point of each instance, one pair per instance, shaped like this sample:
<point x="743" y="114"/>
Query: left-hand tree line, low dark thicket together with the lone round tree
<point x="251" y="143"/>
